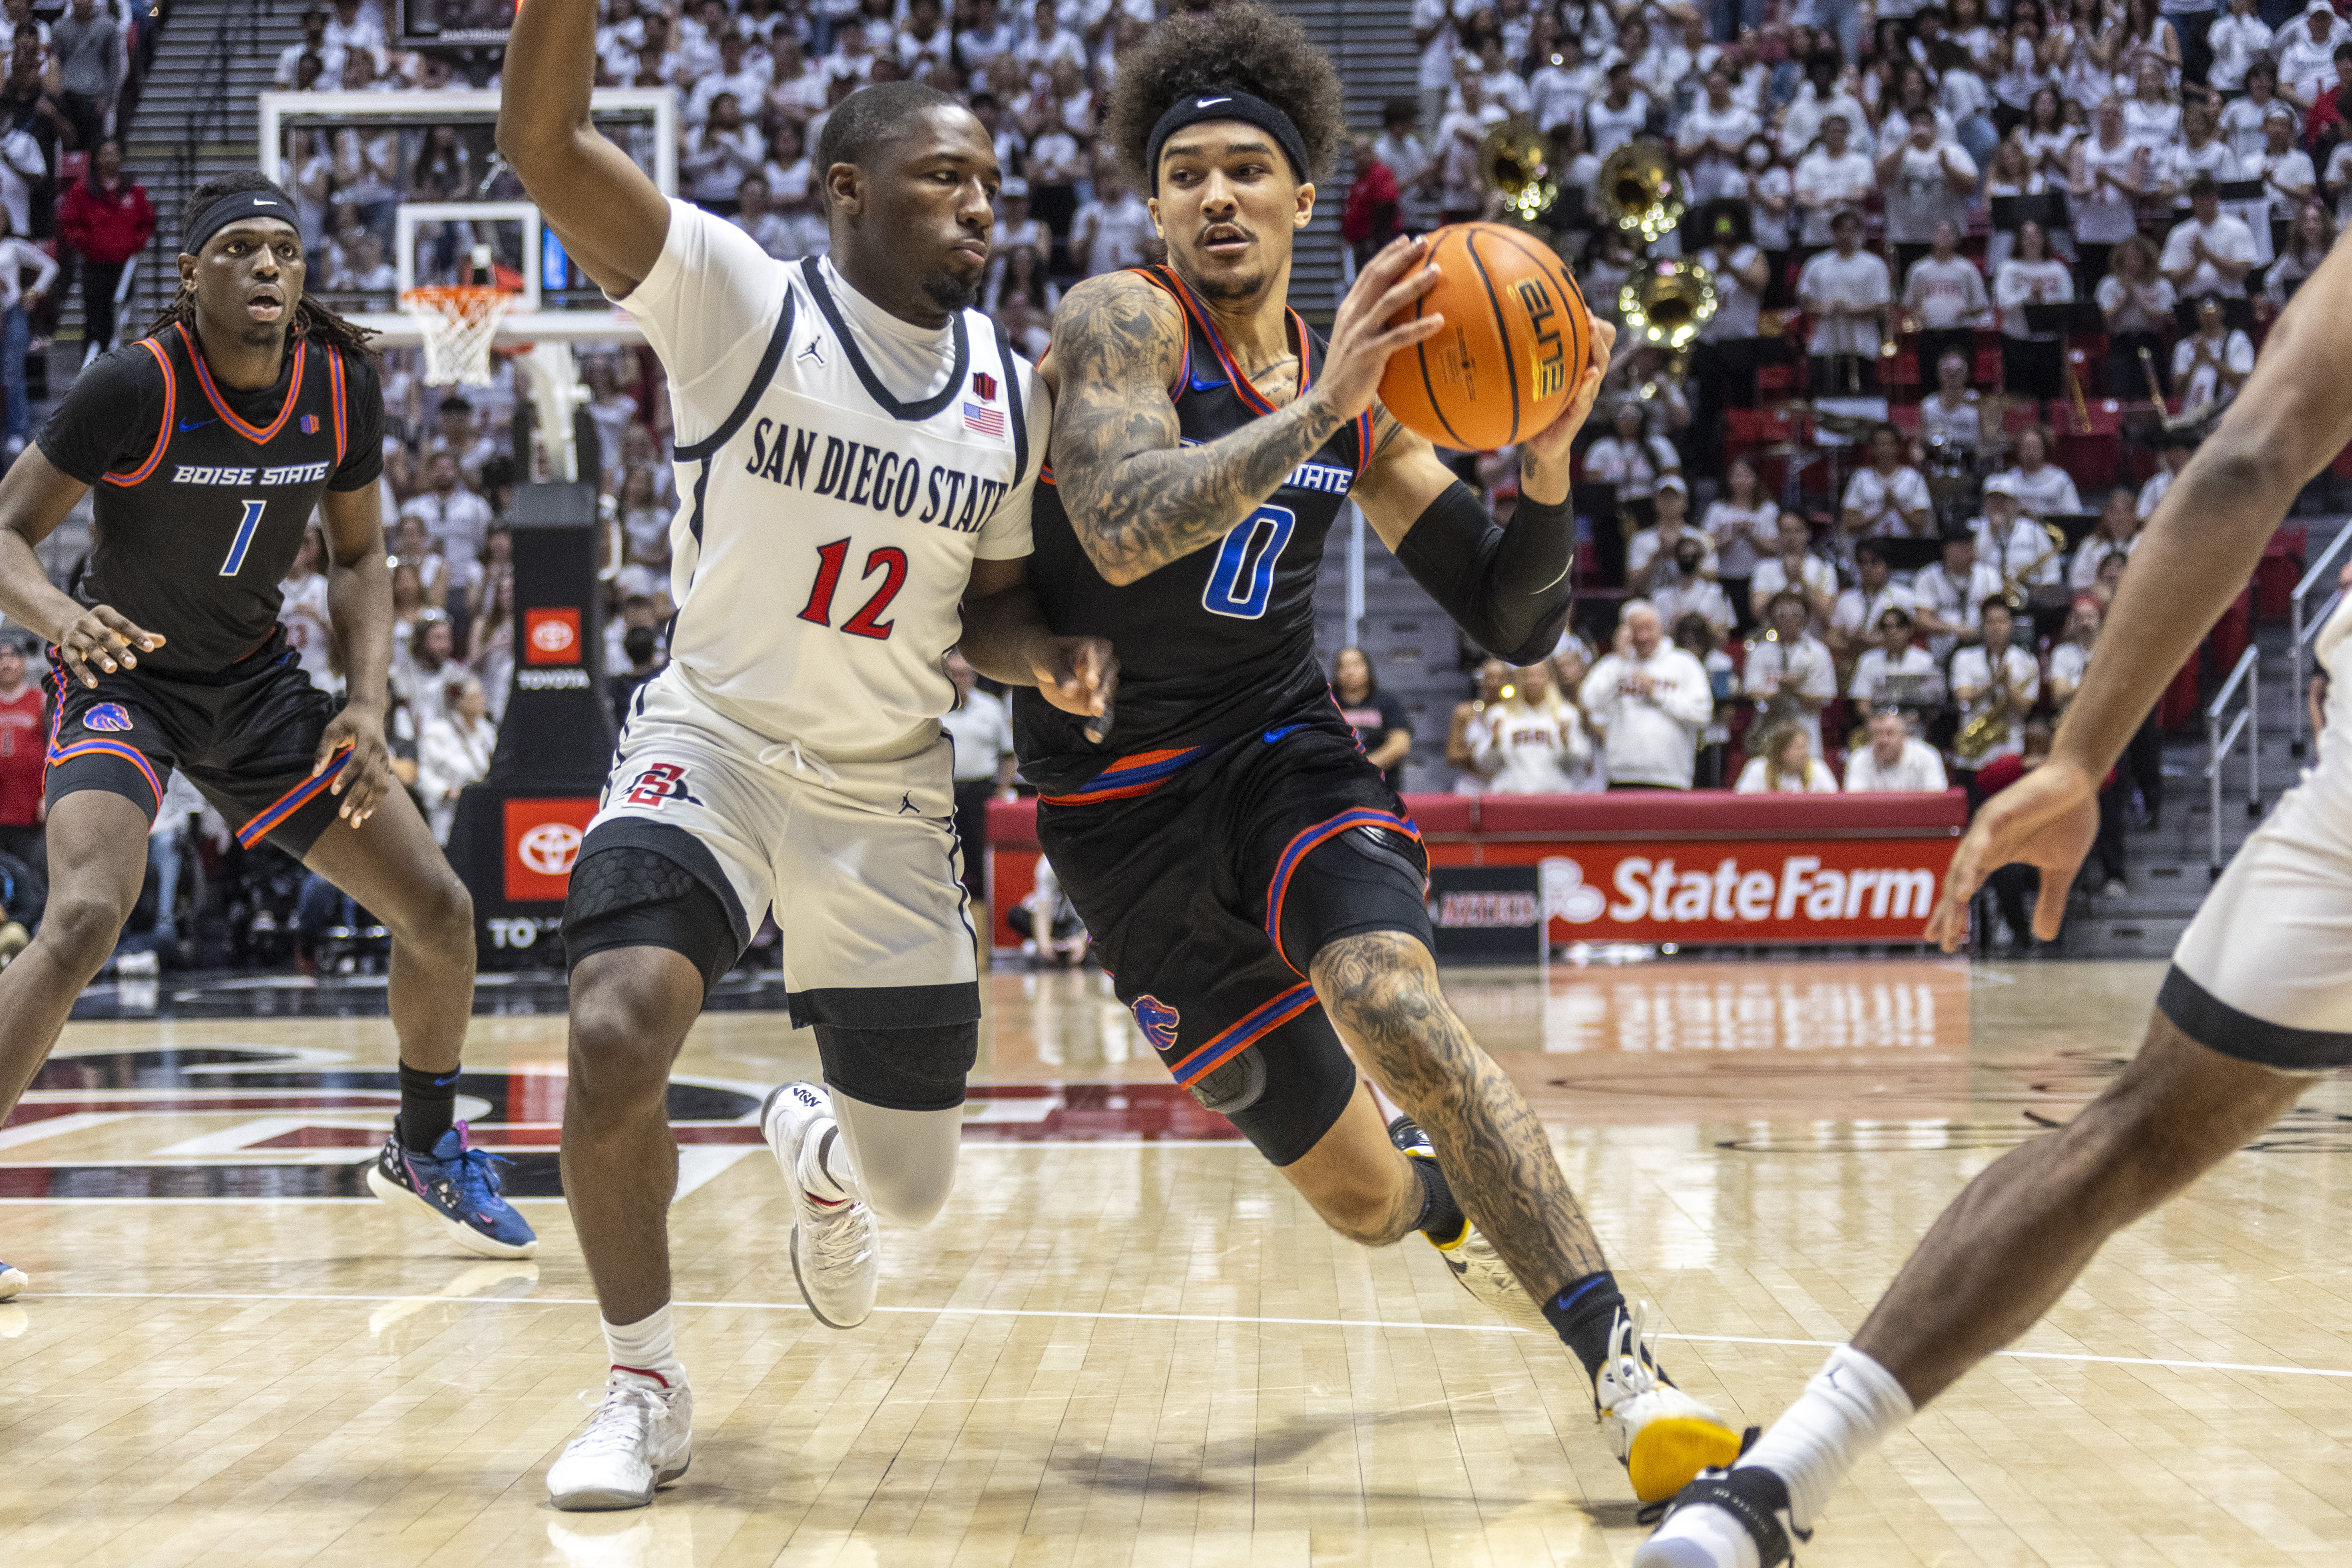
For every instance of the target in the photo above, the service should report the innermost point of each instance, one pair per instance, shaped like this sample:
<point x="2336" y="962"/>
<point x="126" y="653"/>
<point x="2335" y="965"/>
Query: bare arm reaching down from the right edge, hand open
<point x="2196" y="558"/>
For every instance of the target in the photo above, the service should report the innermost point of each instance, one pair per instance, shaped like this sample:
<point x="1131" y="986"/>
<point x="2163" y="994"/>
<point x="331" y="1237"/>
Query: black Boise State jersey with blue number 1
<point x="203" y="492"/>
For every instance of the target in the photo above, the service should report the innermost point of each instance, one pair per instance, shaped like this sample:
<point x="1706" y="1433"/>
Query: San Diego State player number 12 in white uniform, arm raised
<point x="857" y="455"/>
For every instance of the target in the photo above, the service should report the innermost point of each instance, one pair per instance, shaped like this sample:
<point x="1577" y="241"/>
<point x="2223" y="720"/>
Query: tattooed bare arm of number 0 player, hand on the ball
<point x="1140" y="500"/>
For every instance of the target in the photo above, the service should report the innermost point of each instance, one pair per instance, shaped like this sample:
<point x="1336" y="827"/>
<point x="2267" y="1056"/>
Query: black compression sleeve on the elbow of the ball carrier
<point x="1509" y="589"/>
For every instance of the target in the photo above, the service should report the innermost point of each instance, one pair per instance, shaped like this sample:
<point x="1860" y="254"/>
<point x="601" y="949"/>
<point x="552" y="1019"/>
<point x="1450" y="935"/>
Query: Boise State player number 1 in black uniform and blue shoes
<point x="206" y="448"/>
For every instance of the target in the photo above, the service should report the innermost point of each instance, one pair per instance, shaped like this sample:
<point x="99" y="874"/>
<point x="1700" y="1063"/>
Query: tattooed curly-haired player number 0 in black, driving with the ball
<point x="1245" y="873"/>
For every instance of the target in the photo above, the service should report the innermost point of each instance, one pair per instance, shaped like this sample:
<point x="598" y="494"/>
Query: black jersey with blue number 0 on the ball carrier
<point x="1217" y="643"/>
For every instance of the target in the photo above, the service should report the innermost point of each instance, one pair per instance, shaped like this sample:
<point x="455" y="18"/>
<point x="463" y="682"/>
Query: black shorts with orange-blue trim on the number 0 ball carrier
<point x="1210" y="894"/>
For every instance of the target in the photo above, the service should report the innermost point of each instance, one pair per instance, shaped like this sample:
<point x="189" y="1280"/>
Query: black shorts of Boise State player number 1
<point x="246" y="739"/>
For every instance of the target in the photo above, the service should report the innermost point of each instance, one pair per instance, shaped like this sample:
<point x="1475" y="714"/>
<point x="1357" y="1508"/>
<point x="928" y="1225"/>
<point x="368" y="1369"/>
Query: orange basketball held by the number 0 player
<point x="1514" y="349"/>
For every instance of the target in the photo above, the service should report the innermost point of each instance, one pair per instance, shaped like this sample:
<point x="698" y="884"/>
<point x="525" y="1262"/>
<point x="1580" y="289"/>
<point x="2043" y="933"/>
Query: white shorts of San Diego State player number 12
<point x="857" y="859"/>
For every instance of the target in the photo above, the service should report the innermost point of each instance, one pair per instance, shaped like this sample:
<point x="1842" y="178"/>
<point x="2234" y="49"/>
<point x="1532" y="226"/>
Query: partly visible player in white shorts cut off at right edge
<point x="2257" y="1005"/>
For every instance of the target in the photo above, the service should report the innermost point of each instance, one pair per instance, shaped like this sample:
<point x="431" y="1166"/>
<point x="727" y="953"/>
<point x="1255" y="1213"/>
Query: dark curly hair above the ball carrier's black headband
<point x="1238" y="46"/>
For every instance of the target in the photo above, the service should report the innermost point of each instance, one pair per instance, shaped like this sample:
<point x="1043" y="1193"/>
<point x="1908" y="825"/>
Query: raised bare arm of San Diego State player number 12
<point x="599" y="201"/>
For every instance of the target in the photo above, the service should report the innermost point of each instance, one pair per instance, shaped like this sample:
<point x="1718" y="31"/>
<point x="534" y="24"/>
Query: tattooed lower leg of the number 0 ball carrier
<point x="1382" y="993"/>
